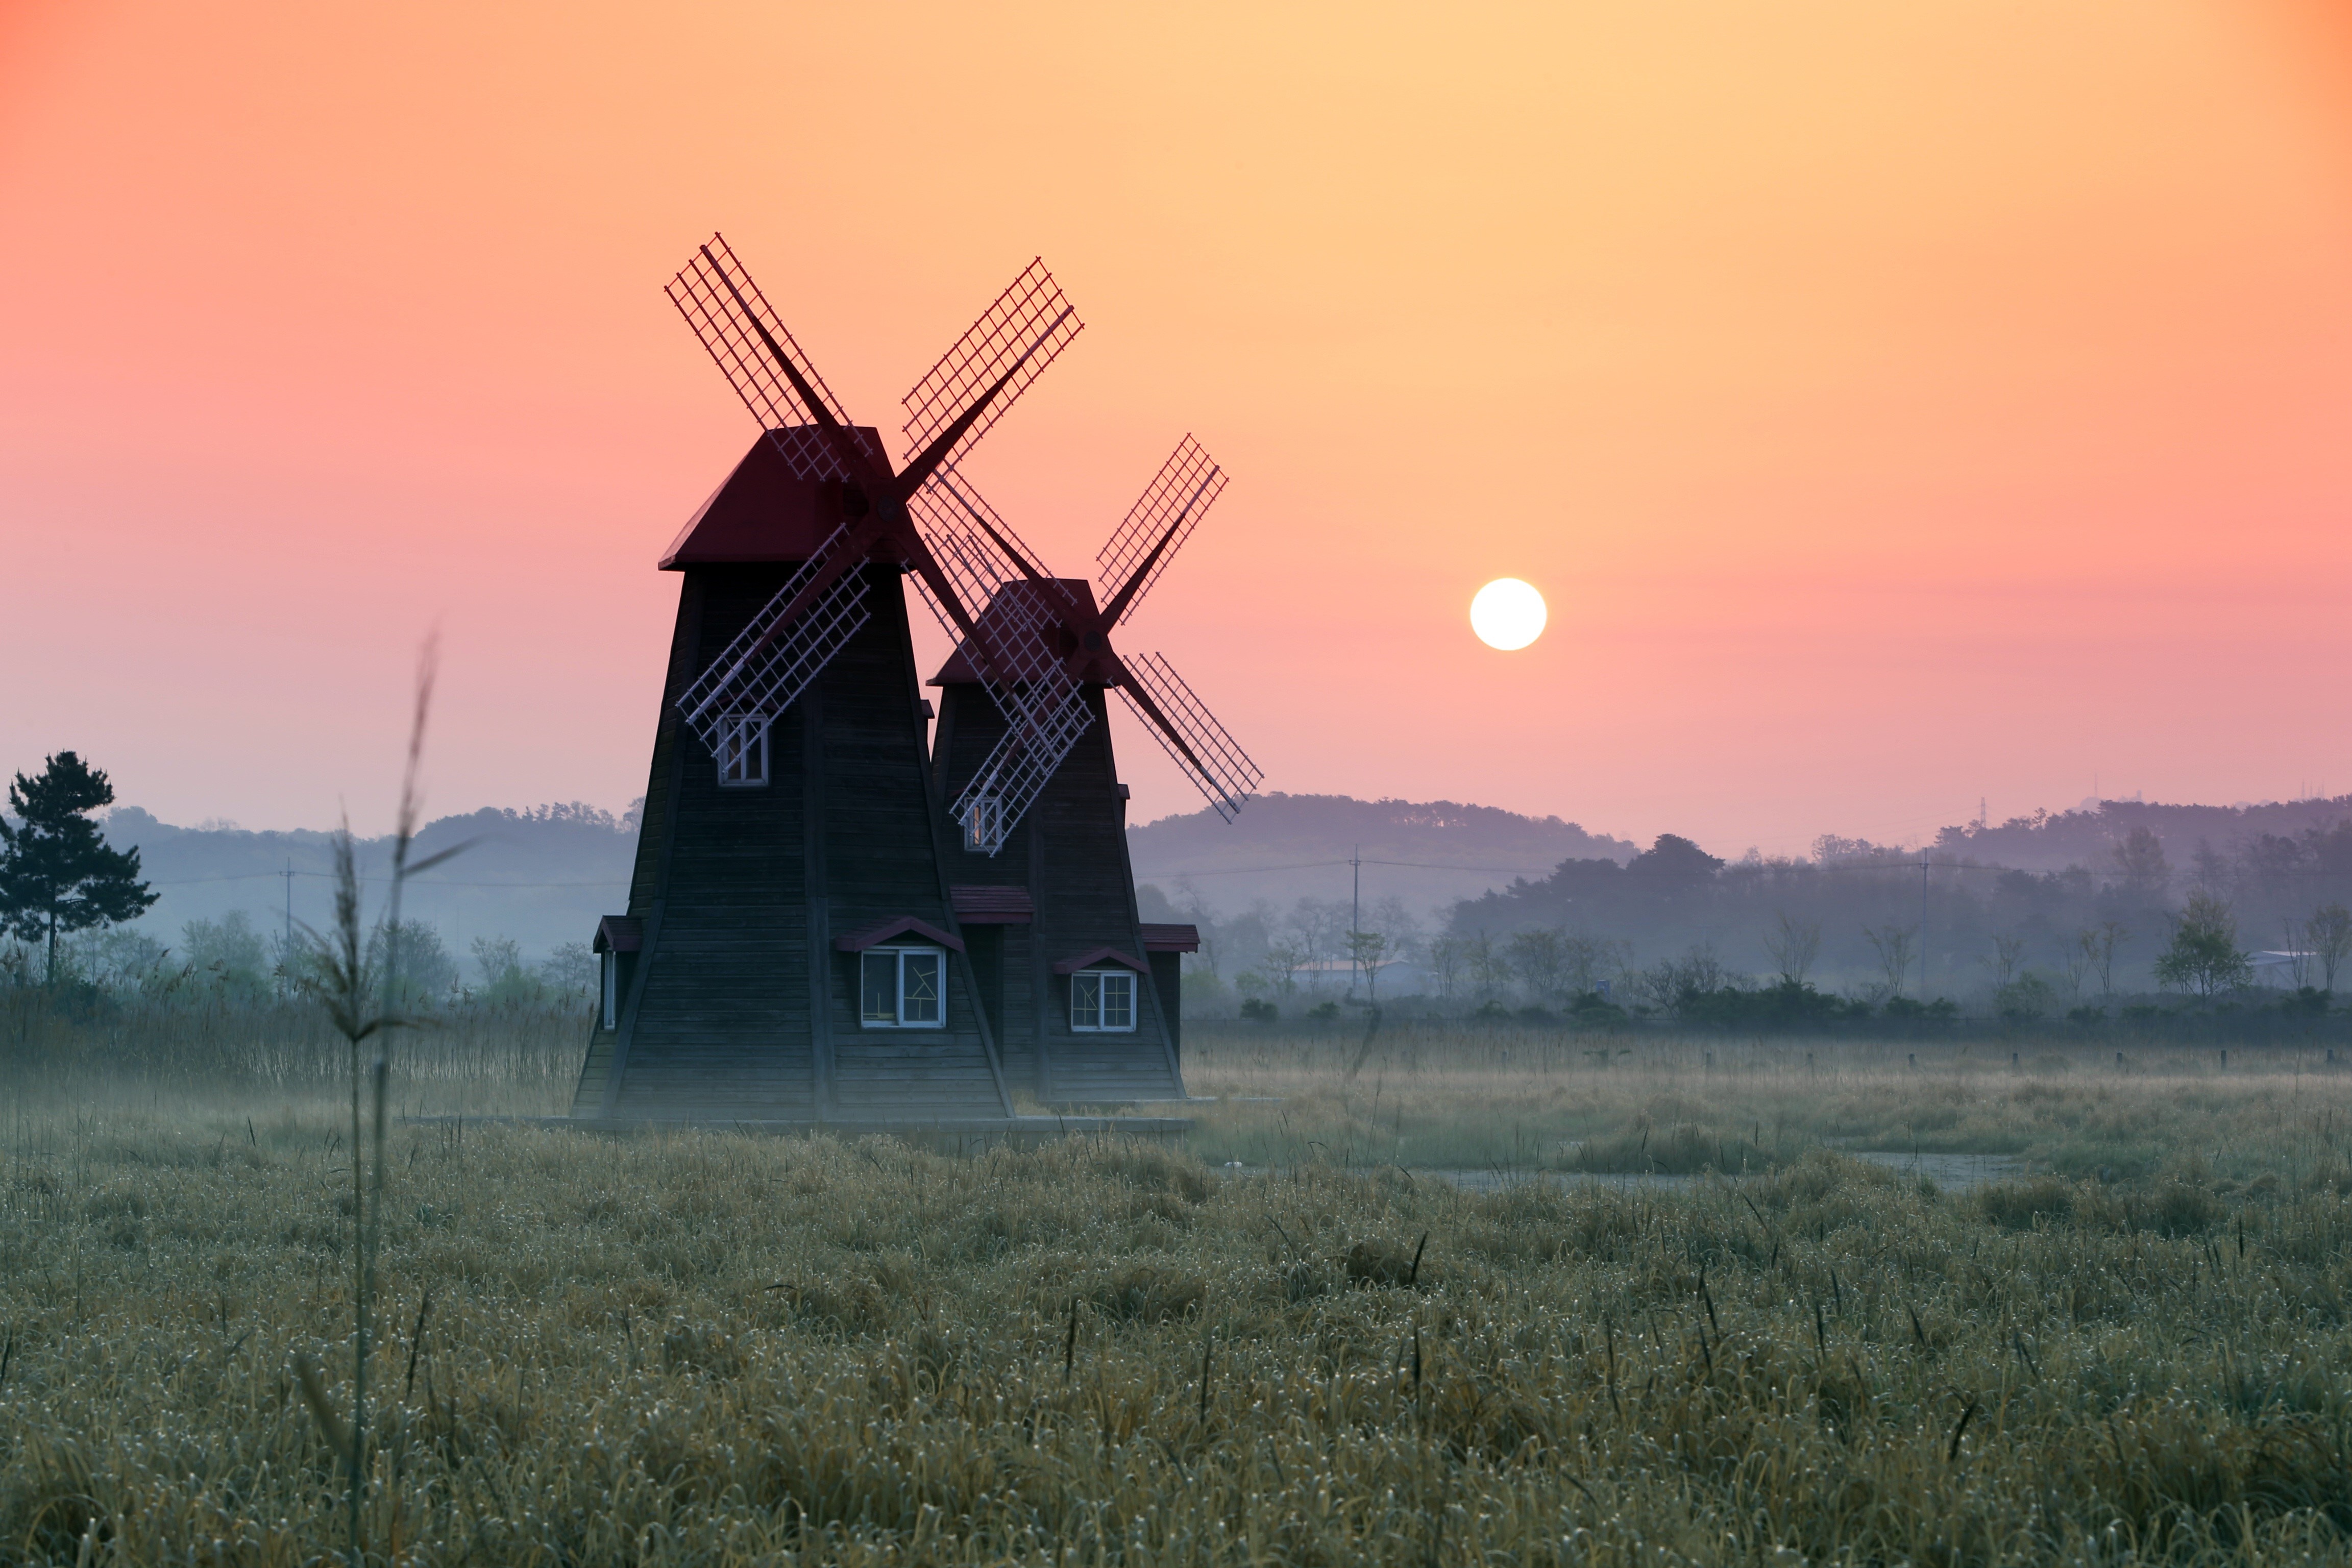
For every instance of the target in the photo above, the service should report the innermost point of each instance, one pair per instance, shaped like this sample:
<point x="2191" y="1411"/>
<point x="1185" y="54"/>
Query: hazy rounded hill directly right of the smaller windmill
<point x="1288" y="847"/>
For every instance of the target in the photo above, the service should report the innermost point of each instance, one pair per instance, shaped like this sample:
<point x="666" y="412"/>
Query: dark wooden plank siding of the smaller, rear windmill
<point x="1071" y="857"/>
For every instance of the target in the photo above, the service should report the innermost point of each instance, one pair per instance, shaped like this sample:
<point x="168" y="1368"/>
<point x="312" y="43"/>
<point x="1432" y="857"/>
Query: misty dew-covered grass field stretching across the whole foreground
<point x="714" y="1348"/>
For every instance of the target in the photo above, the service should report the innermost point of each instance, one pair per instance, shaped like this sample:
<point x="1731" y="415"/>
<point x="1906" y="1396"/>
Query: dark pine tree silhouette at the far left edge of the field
<point x="58" y="876"/>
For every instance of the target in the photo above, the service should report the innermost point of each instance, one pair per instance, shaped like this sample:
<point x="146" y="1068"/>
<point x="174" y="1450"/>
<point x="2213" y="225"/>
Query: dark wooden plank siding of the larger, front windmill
<point x="737" y="1003"/>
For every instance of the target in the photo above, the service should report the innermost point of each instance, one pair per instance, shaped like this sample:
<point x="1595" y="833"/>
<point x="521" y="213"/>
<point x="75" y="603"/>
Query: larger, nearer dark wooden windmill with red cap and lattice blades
<point x="789" y="949"/>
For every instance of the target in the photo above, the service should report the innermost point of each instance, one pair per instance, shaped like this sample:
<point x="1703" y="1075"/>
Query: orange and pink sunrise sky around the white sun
<point x="1899" y="403"/>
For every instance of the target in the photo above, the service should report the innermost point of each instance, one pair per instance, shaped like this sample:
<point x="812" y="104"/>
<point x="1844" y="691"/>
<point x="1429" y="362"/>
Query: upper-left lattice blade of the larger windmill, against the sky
<point x="730" y="316"/>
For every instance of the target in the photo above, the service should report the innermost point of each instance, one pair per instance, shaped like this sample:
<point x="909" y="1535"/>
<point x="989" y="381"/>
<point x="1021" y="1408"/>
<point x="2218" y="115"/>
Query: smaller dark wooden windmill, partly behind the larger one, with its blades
<point x="1081" y="993"/>
